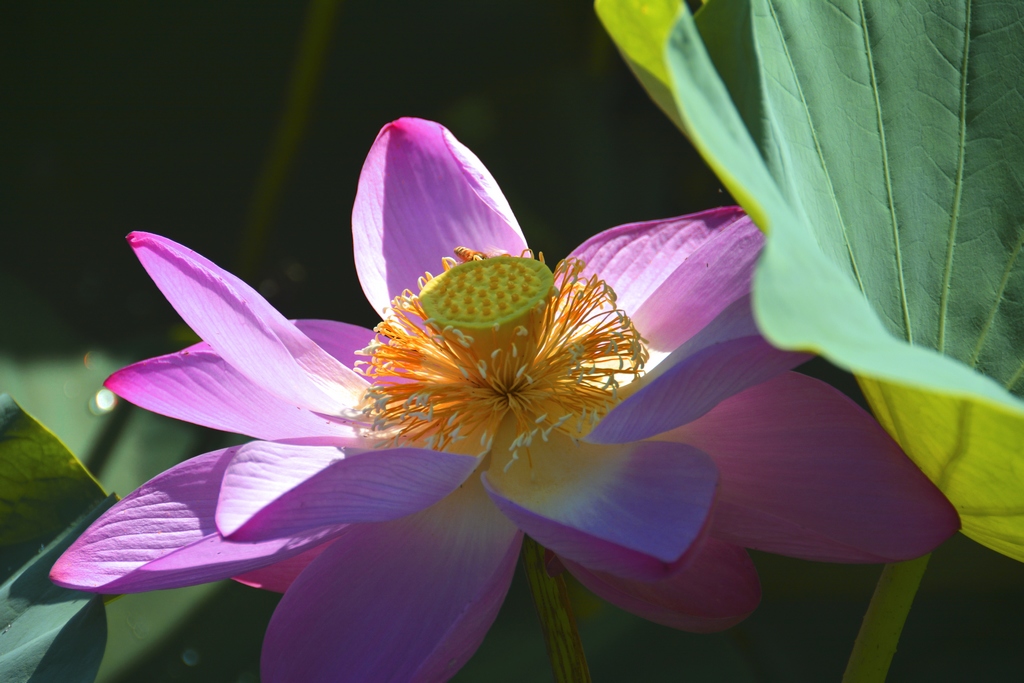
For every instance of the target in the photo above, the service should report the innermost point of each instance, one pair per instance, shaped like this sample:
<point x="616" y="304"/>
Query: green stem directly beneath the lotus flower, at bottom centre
<point x="552" y="602"/>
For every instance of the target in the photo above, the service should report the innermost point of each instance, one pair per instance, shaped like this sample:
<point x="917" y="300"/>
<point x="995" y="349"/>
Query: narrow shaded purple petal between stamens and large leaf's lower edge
<point x="726" y="358"/>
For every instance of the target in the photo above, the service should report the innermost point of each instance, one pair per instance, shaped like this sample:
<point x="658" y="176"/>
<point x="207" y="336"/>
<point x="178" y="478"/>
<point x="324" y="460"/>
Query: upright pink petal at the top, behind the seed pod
<point x="421" y="195"/>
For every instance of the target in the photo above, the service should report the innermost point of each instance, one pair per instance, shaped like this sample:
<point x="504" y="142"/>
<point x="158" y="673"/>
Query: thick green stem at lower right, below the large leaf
<point x="876" y="645"/>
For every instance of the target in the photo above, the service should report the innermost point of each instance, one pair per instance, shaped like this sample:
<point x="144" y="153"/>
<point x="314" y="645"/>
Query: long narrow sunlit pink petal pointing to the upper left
<point x="246" y="331"/>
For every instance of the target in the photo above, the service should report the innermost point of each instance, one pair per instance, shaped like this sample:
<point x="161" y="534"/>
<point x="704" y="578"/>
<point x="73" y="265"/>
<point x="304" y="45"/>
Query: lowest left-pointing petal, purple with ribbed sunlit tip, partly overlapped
<point x="163" y="536"/>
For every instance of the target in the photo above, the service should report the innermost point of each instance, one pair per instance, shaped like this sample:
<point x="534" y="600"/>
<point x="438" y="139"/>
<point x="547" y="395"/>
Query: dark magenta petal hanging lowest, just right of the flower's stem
<point x="717" y="589"/>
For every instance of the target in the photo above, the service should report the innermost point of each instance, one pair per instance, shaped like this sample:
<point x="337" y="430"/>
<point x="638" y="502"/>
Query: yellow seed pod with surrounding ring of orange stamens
<point x="500" y="341"/>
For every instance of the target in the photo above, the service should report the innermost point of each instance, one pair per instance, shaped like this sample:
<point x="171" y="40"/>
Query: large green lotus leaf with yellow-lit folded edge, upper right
<point x="877" y="144"/>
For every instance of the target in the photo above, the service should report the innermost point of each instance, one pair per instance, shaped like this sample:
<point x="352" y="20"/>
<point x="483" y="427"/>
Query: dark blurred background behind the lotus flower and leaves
<point x="175" y="118"/>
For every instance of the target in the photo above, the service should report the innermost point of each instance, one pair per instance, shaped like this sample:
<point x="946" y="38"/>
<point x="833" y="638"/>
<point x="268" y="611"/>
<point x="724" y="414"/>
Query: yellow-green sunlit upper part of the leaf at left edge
<point x="44" y="487"/>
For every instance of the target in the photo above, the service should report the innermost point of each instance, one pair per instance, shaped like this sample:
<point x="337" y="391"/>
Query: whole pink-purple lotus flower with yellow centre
<point x="621" y="409"/>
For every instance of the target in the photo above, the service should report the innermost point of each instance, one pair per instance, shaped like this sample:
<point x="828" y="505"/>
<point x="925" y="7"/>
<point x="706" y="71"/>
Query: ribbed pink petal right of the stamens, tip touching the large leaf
<point x="674" y="277"/>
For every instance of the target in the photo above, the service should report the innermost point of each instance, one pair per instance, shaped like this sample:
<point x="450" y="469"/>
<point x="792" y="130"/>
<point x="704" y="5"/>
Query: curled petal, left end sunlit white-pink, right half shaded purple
<point x="276" y="490"/>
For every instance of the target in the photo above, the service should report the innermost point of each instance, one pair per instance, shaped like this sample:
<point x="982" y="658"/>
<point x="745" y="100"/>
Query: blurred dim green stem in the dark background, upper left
<point x="306" y="75"/>
